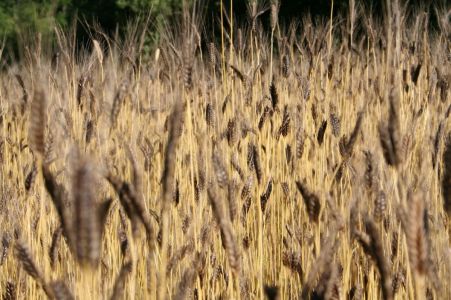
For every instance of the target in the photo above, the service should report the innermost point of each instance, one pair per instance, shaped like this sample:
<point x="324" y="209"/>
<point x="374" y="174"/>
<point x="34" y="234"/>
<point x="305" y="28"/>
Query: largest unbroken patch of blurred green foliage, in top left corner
<point x="21" y="19"/>
